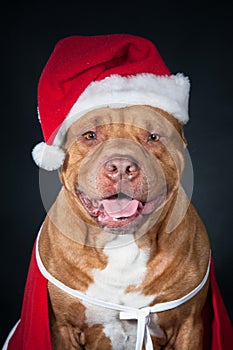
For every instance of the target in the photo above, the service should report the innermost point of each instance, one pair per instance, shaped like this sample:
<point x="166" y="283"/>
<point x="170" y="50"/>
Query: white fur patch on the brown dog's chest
<point x="126" y="268"/>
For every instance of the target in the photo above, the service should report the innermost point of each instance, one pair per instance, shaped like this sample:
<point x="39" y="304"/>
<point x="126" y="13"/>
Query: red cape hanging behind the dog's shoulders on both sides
<point x="32" y="333"/>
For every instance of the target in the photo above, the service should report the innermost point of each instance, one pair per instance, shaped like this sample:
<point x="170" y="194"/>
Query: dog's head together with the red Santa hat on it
<point x="107" y="95"/>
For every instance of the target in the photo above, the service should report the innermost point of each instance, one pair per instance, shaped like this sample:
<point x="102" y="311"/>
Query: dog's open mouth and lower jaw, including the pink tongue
<point x="119" y="213"/>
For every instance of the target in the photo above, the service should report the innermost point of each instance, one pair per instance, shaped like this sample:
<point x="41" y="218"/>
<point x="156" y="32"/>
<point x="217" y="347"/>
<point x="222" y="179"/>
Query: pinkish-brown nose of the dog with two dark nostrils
<point x="121" y="168"/>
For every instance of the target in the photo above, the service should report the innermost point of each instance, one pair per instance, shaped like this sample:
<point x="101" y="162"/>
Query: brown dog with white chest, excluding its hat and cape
<point x="122" y="230"/>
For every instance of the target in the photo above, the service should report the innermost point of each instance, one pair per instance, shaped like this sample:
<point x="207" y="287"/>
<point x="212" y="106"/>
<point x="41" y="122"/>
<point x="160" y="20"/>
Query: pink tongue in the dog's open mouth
<point x="120" y="207"/>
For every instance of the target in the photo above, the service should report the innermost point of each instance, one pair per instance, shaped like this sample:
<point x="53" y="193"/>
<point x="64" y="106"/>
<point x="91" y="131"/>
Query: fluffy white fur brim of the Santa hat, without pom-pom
<point x="170" y="93"/>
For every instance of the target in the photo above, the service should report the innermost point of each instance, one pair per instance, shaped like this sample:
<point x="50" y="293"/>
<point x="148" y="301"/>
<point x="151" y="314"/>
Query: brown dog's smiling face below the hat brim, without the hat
<point x="123" y="164"/>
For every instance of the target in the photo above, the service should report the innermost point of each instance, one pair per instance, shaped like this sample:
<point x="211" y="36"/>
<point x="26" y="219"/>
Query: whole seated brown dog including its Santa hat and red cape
<point x="122" y="260"/>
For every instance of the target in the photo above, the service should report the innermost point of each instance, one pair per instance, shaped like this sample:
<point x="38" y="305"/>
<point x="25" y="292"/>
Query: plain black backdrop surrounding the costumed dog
<point x="193" y="38"/>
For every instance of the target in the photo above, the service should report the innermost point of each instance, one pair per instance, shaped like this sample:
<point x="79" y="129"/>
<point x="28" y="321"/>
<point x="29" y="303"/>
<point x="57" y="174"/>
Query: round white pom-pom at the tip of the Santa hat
<point x="48" y="157"/>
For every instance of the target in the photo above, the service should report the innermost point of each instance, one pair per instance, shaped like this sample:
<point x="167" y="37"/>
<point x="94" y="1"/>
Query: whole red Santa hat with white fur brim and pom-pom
<point x="88" y="72"/>
